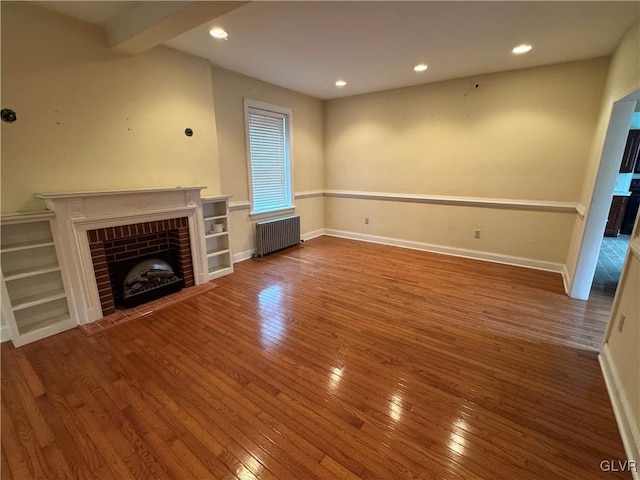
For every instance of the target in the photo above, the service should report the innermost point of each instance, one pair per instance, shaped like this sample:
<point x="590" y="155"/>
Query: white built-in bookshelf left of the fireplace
<point x="34" y="302"/>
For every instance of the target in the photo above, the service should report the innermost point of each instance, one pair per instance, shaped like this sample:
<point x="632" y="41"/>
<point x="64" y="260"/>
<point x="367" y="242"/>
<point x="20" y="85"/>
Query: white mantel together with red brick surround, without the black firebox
<point x="95" y="228"/>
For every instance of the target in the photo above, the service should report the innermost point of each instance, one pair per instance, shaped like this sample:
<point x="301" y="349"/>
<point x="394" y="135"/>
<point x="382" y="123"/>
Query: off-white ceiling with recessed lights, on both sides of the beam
<point x="307" y="46"/>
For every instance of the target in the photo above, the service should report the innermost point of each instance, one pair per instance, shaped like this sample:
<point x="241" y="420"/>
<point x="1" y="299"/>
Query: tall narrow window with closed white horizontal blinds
<point x="269" y="157"/>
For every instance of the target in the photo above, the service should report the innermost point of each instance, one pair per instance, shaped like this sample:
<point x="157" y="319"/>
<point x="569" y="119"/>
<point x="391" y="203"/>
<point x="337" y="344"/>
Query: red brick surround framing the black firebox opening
<point x="109" y="245"/>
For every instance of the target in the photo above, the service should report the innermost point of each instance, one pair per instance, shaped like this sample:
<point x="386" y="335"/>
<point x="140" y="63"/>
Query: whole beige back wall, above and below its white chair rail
<point x="519" y="135"/>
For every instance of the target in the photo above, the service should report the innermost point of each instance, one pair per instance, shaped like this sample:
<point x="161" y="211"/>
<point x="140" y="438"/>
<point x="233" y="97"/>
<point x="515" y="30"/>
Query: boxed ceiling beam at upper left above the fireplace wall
<point x="151" y="23"/>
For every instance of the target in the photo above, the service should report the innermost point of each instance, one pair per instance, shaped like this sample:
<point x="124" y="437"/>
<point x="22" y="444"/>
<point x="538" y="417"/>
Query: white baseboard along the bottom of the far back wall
<point x="454" y="251"/>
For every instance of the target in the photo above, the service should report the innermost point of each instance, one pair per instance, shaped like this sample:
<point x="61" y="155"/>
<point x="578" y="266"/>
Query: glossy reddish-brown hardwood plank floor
<point x="336" y="359"/>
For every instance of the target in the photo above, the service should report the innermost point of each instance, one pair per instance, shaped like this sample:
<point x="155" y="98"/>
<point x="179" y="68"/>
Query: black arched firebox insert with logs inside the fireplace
<point x="146" y="278"/>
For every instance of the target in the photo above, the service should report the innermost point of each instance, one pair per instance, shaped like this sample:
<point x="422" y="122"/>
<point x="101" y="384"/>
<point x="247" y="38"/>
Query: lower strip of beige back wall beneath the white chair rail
<point x="441" y="225"/>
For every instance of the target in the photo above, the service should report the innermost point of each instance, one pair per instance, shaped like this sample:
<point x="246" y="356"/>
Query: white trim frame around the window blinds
<point x="290" y="208"/>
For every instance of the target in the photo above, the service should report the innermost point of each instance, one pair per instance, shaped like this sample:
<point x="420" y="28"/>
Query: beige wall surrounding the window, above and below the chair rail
<point x="229" y="90"/>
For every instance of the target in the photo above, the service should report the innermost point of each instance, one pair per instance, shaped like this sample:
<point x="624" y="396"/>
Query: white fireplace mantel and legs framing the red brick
<point x="78" y="212"/>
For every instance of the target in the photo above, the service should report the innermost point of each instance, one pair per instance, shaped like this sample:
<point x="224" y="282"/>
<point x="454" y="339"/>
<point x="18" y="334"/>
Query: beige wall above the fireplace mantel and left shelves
<point x="92" y="120"/>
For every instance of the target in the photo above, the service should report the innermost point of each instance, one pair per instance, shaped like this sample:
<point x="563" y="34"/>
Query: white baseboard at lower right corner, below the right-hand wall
<point x="629" y="429"/>
